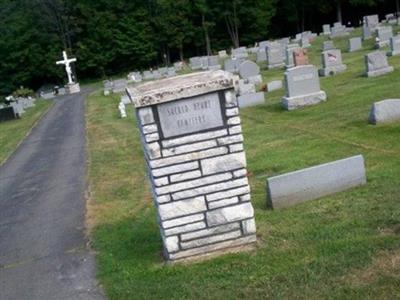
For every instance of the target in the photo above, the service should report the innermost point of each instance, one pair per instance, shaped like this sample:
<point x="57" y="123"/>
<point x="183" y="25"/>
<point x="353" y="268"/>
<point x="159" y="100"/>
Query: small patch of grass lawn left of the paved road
<point x="12" y="132"/>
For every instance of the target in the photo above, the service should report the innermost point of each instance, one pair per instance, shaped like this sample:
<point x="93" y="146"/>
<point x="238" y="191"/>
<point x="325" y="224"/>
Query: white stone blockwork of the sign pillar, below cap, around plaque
<point x="200" y="186"/>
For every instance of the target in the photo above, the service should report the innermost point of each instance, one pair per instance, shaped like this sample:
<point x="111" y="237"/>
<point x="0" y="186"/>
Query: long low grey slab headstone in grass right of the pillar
<point x="312" y="183"/>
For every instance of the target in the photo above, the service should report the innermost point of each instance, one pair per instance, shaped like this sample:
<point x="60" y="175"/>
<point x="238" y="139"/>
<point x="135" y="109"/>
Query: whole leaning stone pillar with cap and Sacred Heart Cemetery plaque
<point x="193" y="146"/>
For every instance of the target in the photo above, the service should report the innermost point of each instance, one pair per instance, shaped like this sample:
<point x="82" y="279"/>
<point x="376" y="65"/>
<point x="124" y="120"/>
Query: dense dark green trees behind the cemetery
<point x="112" y="37"/>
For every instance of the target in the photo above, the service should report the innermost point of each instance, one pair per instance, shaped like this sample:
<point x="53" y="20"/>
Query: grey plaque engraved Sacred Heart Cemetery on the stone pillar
<point x="190" y="115"/>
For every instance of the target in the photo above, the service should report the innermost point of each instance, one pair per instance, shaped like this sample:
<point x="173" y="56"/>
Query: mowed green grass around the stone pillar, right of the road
<point x="345" y="246"/>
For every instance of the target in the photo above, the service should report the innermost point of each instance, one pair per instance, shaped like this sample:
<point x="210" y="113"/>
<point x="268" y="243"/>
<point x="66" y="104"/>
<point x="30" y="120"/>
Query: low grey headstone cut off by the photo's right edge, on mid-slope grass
<point x="385" y="111"/>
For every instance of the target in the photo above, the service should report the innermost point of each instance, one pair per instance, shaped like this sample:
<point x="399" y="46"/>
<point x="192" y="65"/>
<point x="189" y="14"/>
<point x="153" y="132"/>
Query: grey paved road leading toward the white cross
<point x="43" y="253"/>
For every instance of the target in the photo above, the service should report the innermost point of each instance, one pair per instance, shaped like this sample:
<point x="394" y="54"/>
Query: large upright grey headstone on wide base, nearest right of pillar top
<point x="302" y="87"/>
